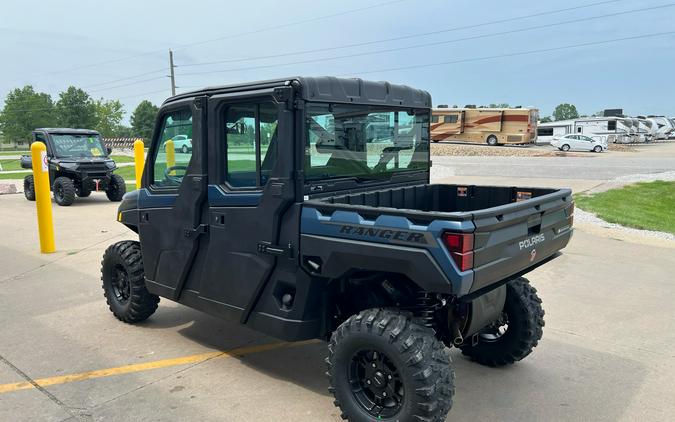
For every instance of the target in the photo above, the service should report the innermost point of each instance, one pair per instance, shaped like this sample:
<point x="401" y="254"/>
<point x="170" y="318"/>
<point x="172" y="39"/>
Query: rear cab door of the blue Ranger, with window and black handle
<point x="250" y="190"/>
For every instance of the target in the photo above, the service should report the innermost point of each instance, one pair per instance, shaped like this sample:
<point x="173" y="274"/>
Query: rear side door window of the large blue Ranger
<point x="251" y="139"/>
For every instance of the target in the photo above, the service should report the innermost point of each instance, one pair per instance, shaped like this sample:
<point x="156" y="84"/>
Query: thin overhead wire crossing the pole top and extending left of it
<point x="264" y="29"/>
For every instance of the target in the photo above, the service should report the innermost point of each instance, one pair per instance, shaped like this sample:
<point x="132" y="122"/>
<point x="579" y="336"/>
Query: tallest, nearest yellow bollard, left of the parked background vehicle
<point x="43" y="200"/>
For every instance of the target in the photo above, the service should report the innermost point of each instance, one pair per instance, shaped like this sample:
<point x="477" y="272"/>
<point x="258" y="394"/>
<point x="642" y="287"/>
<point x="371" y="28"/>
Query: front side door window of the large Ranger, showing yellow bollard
<point x="174" y="149"/>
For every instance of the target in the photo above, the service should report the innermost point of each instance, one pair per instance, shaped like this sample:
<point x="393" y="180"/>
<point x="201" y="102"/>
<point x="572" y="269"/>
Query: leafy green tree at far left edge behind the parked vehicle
<point x="24" y="111"/>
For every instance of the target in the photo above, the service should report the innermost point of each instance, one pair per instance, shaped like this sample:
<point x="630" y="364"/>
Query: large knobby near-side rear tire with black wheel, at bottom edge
<point x="385" y="352"/>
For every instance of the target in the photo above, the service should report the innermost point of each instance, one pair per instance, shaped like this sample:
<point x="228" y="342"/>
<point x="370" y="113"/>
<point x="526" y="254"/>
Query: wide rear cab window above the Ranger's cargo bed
<point x="365" y="142"/>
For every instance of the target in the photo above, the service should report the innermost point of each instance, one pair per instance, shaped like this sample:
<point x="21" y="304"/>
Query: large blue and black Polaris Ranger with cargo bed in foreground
<point x="287" y="217"/>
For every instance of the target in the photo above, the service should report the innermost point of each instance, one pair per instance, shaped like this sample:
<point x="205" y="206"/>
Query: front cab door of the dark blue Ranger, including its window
<point x="171" y="202"/>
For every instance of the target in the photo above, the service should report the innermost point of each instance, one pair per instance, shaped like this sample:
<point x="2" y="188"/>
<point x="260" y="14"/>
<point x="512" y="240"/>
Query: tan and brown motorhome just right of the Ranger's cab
<point x="494" y="126"/>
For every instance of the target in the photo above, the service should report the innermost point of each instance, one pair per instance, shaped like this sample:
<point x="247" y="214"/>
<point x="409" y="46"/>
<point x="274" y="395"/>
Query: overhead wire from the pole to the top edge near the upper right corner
<point x="403" y="37"/>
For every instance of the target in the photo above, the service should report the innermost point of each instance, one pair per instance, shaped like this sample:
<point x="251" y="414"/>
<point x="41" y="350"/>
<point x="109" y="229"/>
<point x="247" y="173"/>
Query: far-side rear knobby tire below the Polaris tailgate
<point x="525" y="318"/>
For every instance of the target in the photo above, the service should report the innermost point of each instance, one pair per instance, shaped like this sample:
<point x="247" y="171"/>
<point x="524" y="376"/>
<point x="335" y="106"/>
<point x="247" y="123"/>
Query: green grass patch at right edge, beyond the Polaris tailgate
<point x="648" y="206"/>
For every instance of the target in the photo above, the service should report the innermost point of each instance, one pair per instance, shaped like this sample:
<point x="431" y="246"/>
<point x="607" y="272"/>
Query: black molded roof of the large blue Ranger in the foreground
<point x="331" y="89"/>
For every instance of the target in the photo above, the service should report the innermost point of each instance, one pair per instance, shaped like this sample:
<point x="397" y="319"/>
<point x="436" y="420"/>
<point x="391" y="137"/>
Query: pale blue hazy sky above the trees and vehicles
<point x="483" y="52"/>
